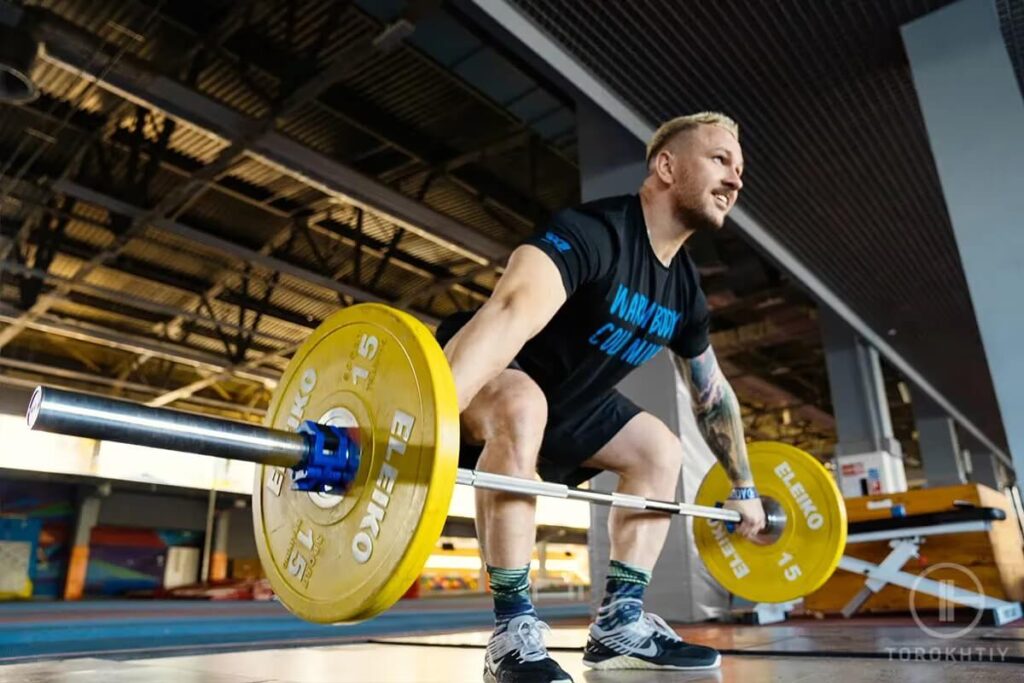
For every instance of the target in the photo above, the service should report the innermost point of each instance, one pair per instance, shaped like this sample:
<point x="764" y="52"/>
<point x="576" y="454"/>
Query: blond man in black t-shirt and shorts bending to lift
<point x="599" y="292"/>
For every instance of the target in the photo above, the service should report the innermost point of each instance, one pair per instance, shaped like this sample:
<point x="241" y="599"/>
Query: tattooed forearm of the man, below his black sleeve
<point x="717" y="412"/>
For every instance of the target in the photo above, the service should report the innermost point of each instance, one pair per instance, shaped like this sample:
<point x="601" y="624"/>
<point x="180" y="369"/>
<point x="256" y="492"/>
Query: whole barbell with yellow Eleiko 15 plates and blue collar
<point x="359" y="461"/>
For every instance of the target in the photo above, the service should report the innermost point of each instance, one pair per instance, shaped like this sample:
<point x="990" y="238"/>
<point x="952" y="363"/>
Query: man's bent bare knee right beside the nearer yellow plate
<point x="510" y="412"/>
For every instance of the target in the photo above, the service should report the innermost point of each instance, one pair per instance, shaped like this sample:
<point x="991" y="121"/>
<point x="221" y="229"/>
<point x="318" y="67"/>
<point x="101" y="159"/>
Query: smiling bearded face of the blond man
<point x="707" y="166"/>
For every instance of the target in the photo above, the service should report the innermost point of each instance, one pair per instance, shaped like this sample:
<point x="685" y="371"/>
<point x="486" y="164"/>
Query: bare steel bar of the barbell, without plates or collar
<point x="89" y="416"/>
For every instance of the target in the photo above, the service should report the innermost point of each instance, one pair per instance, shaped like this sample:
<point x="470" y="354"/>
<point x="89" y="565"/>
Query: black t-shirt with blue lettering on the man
<point x="623" y="307"/>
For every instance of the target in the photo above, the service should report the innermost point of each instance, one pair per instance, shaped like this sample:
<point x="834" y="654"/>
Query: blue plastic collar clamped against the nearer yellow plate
<point x="332" y="459"/>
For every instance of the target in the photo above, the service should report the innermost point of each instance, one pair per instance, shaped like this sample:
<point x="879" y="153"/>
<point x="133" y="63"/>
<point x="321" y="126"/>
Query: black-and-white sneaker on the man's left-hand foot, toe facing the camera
<point x="518" y="655"/>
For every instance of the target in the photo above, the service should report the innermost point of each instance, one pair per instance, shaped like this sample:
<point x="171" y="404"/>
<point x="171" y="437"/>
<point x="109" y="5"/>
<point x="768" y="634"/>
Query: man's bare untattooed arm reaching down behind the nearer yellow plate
<point x="527" y="297"/>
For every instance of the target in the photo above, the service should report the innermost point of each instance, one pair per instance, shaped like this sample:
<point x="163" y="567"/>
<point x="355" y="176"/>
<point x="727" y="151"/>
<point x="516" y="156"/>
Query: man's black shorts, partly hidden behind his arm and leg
<point x="571" y="438"/>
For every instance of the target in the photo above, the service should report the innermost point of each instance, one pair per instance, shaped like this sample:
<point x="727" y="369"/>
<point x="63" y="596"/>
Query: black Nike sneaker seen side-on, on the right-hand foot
<point x="646" y="644"/>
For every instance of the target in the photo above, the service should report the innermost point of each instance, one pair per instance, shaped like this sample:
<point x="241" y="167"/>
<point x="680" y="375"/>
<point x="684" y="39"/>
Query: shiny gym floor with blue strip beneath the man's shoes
<point x="443" y="642"/>
